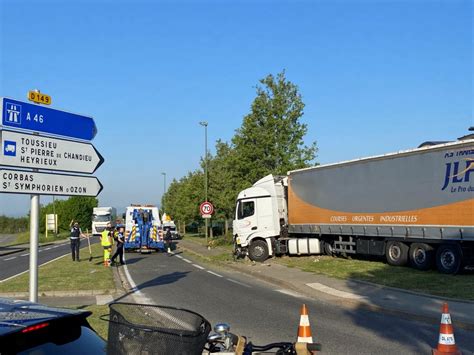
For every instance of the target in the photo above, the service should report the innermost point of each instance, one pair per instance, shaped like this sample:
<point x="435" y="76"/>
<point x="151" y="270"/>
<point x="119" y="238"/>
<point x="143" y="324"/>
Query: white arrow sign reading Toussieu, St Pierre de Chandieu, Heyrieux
<point x="32" y="151"/>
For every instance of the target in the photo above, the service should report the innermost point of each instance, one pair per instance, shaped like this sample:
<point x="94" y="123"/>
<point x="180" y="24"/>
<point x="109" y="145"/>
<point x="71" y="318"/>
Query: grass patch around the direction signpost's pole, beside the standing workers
<point x="66" y="275"/>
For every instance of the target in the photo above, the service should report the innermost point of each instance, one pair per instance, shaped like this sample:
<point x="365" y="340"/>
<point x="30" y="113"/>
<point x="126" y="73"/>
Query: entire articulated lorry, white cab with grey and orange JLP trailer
<point x="414" y="206"/>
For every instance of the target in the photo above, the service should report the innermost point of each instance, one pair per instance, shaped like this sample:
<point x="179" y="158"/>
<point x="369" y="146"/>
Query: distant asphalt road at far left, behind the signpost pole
<point x="17" y="263"/>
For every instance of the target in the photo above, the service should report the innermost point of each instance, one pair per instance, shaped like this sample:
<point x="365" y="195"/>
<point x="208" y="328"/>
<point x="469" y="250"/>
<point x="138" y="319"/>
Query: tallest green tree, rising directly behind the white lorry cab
<point x="270" y="140"/>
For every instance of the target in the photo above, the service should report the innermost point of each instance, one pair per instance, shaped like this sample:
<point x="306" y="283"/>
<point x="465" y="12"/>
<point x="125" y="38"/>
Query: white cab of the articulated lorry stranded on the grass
<point x="261" y="212"/>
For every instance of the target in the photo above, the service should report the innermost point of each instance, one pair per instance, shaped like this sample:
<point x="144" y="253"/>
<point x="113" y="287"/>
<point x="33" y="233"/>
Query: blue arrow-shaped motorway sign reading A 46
<point x="25" y="116"/>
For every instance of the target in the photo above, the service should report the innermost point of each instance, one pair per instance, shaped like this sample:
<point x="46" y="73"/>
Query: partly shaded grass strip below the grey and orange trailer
<point x="430" y="282"/>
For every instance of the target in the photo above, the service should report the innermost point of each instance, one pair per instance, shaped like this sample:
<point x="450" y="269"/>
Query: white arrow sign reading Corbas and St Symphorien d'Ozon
<point x="26" y="182"/>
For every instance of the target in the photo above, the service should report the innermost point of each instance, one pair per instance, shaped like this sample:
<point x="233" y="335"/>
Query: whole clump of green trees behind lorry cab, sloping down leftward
<point x="270" y="141"/>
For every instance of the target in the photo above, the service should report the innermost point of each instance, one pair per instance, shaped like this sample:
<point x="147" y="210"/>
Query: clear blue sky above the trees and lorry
<point x="376" y="76"/>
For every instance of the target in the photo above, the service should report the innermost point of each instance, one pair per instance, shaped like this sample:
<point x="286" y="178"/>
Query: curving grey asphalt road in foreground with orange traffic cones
<point x="264" y="313"/>
